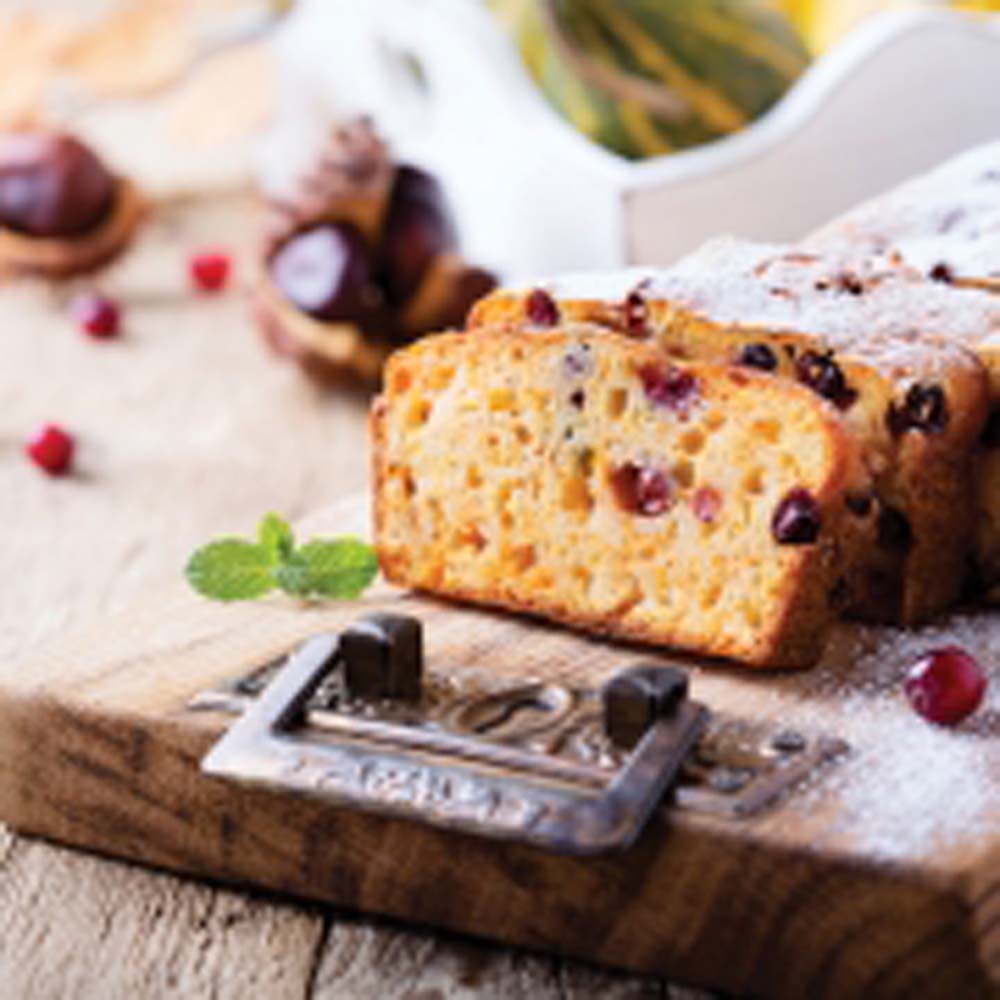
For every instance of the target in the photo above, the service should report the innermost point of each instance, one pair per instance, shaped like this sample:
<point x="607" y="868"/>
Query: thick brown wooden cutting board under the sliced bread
<point x="879" y="876"/>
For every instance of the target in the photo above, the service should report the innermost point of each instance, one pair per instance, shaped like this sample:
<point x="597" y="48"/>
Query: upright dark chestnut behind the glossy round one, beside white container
<point x="417" y="229"/>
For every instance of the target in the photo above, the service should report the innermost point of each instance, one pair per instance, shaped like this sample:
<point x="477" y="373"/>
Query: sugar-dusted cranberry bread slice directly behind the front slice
<point x="869" y="338"/>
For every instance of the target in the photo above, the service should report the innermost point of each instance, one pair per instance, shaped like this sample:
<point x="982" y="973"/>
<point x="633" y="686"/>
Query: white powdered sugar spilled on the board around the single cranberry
<point x="908" y="789"/>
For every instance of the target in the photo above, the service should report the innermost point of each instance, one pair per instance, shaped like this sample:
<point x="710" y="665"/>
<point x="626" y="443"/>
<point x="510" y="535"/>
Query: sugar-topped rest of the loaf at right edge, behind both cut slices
<point x="946" y="225"/>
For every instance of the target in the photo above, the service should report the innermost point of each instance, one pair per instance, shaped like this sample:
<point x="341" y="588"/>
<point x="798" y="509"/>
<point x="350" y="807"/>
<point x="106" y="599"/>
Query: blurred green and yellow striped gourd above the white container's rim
<point x="648" y="77"/>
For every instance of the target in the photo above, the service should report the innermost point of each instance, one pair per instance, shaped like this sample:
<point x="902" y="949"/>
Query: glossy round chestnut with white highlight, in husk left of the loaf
<point x="324" y="271"/>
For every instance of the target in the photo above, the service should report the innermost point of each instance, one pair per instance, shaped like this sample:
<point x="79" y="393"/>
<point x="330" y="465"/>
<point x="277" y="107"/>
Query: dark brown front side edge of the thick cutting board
<point x="734" y="917"/>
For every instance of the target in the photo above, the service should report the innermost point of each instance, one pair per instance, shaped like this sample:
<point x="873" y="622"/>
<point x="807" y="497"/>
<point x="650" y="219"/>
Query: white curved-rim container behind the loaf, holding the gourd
<point x="533" y="196"/>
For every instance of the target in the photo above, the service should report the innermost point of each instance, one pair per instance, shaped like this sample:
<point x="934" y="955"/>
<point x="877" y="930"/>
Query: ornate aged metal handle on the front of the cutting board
<point x="384" y="750"/>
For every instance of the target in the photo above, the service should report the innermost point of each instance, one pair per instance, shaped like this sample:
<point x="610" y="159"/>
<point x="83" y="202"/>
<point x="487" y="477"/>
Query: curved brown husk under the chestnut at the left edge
<point x="63" y="257"/>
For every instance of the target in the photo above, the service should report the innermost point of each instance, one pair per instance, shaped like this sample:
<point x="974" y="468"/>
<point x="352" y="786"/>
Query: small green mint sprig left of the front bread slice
<point x="238" y="569"/>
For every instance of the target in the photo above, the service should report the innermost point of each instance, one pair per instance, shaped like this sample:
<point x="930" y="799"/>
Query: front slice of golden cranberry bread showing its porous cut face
<point x="580" y="475"/>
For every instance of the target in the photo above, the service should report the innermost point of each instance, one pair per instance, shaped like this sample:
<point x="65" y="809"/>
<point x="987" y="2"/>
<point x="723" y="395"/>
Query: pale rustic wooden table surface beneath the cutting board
<point x="186" y="429"/>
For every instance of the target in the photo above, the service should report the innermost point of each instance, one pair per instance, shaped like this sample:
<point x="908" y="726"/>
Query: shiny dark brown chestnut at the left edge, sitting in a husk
<point x="51" y="184"/>
